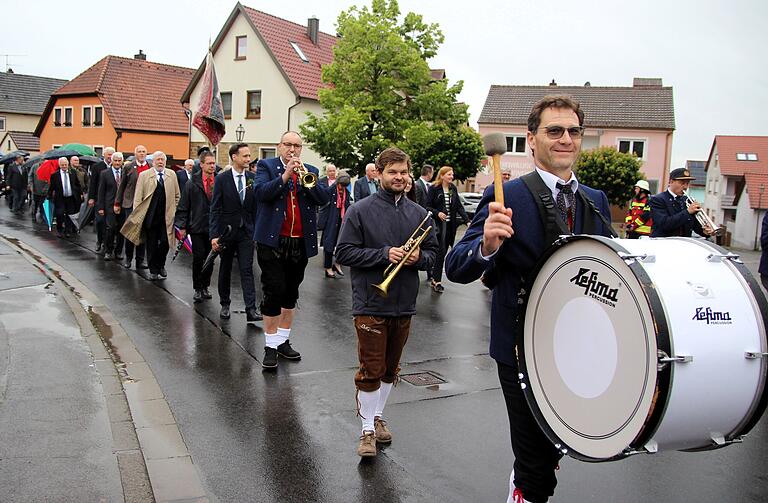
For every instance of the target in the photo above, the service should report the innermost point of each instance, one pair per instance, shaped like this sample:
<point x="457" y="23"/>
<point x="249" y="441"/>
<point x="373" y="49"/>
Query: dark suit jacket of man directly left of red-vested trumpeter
<point x="226" y="207"/>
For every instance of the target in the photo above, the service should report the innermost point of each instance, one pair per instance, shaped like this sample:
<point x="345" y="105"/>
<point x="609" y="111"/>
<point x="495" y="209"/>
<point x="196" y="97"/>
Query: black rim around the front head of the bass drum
<point x="664" y="377"/>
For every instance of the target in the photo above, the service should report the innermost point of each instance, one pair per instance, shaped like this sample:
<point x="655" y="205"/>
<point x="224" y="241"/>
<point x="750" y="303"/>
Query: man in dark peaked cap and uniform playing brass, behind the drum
<point x="670" y="213"/>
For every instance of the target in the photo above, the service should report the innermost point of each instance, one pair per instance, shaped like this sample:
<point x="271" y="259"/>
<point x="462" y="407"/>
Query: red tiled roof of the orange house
<point x="136" y="94"/>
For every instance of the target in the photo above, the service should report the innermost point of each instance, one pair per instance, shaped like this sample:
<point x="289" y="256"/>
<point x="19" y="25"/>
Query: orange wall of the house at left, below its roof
<point x="172" y="144"/>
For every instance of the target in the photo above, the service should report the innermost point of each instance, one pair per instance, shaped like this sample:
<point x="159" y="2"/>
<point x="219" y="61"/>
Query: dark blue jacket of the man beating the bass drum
<point x="518" y="256"/>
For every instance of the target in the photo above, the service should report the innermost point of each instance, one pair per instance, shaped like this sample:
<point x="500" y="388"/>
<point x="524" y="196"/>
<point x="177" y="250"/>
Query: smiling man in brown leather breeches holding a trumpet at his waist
<point x="378" y="231"/>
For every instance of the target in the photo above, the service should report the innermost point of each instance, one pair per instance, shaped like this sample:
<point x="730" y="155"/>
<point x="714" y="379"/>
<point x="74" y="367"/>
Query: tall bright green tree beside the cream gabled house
<point x="381" y="94"/>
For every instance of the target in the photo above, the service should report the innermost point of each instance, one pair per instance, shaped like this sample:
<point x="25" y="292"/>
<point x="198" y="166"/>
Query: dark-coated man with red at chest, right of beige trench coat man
<point x="193" y="217"/>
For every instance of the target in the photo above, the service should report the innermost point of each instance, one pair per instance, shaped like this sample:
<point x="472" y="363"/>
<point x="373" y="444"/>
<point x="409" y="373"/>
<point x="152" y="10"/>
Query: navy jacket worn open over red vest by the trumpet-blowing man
<point x="271" y="195"/>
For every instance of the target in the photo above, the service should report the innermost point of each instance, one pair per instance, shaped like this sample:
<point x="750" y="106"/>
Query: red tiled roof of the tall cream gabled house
<point x="278" y="34"/>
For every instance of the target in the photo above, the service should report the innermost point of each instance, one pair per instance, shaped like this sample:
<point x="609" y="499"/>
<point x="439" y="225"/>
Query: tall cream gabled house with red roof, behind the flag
<point x="269" y="71"/>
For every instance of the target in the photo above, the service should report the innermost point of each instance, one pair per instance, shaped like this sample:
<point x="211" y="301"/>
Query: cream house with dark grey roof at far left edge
<point x="22" y="102"/>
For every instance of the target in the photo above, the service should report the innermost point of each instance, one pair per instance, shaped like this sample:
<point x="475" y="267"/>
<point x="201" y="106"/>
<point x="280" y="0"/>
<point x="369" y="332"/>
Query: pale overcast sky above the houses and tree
<point x="711" y="52"/>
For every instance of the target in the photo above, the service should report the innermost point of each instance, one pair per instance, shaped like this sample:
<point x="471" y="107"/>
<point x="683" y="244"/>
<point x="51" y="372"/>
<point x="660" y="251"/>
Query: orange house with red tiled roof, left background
<point x="120" y="102"/>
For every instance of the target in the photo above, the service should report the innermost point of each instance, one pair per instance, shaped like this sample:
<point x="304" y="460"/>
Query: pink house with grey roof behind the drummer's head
<point x="638" y="119"/>
